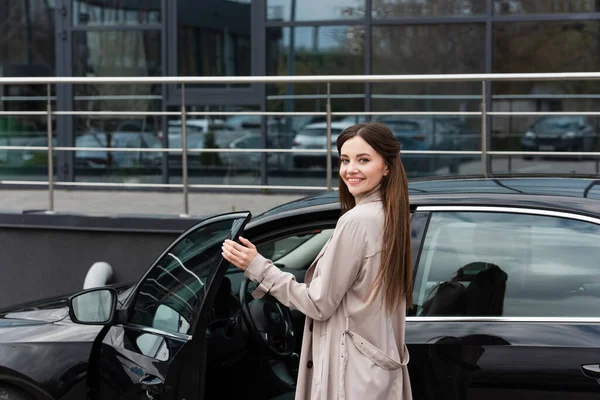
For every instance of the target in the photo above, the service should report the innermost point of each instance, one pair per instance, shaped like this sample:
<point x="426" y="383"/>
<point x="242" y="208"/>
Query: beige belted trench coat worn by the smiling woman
<point x="351" y="349"/>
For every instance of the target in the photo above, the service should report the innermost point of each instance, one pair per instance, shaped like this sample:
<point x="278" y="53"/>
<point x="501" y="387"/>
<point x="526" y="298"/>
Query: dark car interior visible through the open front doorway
<point x="264" y="366"/>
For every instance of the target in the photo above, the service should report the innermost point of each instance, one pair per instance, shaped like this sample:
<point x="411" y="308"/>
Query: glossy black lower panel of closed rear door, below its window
<point x="493" y="360"/>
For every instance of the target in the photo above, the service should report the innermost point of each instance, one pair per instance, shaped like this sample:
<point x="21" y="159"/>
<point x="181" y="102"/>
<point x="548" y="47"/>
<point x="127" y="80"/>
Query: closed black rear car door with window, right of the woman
<point x="507" y="305"/>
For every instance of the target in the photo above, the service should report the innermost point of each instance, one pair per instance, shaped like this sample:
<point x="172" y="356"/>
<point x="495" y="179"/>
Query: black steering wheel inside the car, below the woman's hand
<point x="269" y="323"/>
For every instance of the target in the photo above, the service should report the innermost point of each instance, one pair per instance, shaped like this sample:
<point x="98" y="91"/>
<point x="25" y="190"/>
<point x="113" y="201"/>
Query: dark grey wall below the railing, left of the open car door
<point x="46" y="255"/>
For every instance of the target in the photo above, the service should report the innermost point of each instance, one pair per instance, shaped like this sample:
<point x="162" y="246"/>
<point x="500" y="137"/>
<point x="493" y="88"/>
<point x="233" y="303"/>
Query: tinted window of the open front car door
<point x="174" y="289"/>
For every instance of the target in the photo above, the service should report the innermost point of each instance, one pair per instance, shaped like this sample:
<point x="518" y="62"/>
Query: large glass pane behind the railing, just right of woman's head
<point x="451" y="48"/>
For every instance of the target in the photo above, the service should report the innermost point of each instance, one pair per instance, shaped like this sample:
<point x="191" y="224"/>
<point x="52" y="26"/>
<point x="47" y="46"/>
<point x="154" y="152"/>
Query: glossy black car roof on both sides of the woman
<point x="573" y="194"/>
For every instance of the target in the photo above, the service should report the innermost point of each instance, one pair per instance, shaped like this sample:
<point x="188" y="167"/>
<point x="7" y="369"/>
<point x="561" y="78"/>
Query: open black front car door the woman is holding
<point x="157" y="350"/>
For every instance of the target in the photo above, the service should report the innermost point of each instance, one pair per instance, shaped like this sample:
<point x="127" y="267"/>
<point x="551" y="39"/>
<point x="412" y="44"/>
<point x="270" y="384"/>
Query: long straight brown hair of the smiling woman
<point x="394" y="279"/>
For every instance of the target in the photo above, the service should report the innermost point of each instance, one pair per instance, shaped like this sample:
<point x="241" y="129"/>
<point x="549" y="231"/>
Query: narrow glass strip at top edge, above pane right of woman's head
<point x="426" y="8"/>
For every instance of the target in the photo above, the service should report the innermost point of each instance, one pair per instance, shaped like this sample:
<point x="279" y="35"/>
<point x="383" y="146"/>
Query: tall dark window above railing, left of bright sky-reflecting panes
<point x="213" y="38"/>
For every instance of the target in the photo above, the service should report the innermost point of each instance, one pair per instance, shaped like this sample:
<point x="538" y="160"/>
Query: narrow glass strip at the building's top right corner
<point x="545" y="7"/>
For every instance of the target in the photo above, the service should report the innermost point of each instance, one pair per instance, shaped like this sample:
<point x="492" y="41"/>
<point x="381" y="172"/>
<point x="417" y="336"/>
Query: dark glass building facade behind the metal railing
<point x="285" y="37"/>
